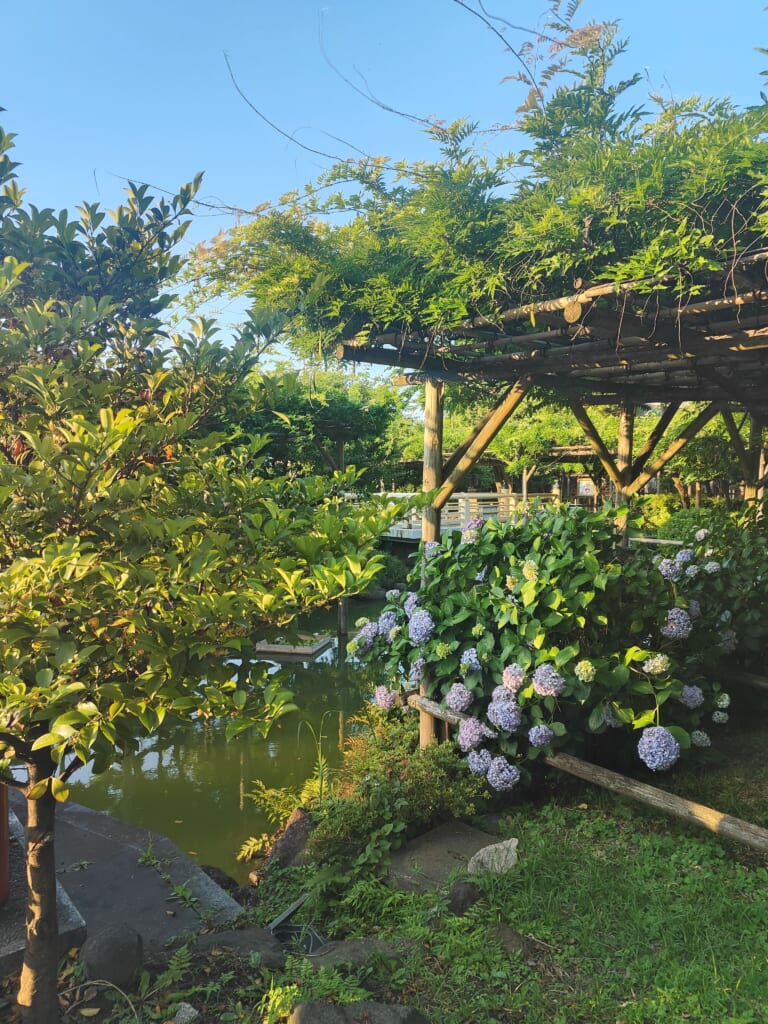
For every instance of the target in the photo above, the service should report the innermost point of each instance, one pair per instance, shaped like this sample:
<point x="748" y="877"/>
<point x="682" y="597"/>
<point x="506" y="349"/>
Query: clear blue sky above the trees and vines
<point x="100" y="91"/>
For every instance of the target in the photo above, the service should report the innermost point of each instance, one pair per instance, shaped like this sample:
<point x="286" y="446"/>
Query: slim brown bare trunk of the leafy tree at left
<point x="37" y="996"/>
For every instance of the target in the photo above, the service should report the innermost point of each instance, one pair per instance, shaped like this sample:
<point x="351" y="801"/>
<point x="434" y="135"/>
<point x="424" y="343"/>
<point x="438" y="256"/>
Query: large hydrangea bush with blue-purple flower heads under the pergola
<point x="541" y="633"/>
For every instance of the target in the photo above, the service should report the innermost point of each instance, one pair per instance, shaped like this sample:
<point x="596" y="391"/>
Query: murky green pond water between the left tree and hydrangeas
<point x="192" y="786"/>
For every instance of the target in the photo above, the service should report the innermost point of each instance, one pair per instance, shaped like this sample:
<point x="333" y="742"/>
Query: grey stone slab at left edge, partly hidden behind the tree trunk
<point x="14" y="913"/>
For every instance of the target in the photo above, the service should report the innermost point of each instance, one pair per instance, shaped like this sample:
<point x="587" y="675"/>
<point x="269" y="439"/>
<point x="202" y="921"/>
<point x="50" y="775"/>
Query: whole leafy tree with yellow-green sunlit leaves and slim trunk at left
<point x="139" y="549"/>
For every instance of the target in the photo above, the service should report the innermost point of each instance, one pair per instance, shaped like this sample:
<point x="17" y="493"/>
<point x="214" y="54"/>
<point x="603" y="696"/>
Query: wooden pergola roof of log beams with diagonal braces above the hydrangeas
<point x="624" y="345"/>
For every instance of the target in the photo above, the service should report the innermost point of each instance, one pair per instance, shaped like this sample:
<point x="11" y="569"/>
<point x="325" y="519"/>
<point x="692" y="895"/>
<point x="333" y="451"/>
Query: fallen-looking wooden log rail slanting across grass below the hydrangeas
<point x="687" y="810"/>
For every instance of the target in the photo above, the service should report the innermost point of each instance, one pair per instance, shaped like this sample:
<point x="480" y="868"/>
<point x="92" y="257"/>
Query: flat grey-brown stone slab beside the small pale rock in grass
<point x="429" y="862"/>
